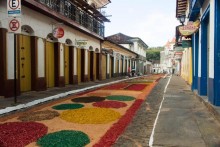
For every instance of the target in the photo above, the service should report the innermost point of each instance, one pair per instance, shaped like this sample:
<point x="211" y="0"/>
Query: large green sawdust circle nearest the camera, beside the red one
<point x="64" y="138"/>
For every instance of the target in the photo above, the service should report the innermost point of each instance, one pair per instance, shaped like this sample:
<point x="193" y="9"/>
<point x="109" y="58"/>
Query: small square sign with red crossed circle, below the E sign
<point x="14" y="25"/>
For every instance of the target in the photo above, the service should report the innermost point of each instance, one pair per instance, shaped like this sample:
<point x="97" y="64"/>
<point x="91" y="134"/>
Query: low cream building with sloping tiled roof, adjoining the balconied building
<point x="116" y="59"/>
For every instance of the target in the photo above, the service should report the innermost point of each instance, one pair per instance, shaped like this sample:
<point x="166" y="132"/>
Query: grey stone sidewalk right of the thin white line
<point x="183" y="120"/>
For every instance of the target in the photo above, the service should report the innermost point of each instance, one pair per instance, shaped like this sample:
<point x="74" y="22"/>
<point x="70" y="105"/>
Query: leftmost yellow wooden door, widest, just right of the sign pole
<point x="25" y="63"/>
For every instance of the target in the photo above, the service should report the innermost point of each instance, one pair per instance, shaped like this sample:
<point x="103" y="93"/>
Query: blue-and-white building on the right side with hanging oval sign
<point x="204" y="47"/>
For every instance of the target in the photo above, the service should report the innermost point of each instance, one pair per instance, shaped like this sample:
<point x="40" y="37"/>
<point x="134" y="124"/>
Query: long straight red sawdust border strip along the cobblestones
<point x="112" y="134"/>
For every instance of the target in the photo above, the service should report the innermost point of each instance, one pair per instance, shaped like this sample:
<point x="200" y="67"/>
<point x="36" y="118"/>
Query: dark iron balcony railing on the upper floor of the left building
<point x="69" y="10"/>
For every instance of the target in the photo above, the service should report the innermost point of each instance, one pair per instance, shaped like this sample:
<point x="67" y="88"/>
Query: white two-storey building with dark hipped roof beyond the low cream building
<point x="134" y="44"/>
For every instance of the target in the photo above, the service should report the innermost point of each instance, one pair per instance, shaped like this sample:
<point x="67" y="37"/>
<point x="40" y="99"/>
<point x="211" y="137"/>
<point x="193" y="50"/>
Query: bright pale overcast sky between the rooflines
<point x="153" y="21"/>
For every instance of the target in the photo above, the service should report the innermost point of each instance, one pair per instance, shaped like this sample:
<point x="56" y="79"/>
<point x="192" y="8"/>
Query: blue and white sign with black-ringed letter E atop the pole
<point x="14" y="8"/>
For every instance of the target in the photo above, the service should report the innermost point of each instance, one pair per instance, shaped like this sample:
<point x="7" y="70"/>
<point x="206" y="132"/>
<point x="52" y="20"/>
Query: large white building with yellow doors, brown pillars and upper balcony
<point x="59" y="44"/>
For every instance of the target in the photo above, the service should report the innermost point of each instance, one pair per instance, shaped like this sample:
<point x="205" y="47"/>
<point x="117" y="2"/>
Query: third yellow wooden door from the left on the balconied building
<point x="66" y="64"/>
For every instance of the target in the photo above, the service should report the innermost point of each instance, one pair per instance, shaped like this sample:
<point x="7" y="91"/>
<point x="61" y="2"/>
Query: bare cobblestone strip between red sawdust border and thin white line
<point x="140" y="129"/>
